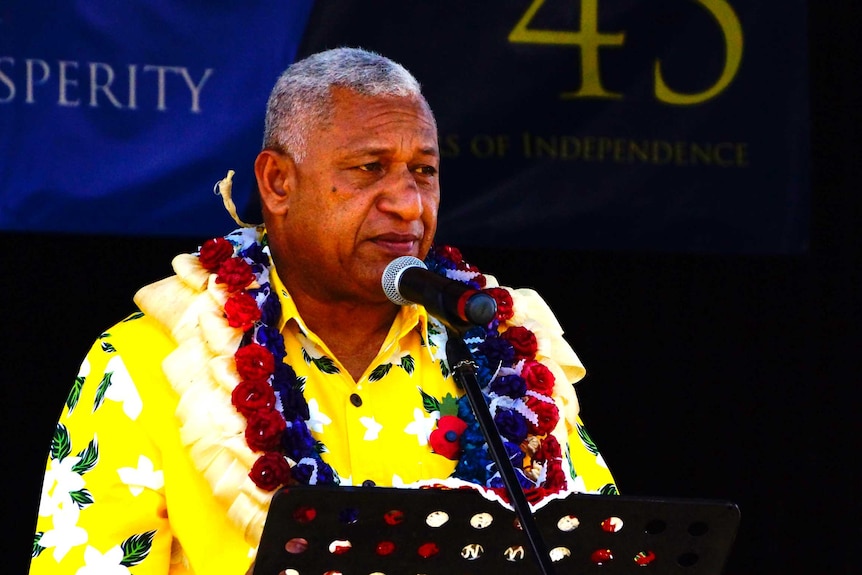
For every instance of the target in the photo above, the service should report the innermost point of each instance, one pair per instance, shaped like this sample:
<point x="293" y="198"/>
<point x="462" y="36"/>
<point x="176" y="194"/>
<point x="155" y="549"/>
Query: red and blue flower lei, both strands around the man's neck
<point x="269" y="394"/>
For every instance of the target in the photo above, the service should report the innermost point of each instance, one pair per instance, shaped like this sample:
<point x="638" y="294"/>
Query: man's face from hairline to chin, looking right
<point x="366" y="192"/>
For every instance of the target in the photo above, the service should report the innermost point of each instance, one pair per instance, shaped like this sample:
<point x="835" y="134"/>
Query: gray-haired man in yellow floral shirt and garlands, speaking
<point x="273" y="357"/>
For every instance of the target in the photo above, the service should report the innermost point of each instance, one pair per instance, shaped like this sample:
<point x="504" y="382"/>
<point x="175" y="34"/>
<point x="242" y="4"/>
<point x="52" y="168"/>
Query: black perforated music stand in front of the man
<point x="373" y="530"/>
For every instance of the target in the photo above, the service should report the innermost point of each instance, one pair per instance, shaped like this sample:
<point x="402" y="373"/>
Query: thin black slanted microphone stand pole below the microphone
<point x="464" y="372"/>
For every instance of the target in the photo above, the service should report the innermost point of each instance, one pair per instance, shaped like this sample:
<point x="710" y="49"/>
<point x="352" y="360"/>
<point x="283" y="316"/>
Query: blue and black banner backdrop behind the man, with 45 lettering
<point x="674" y="125"/>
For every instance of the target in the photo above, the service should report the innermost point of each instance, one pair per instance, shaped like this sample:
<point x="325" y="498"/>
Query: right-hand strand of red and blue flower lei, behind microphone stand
<point x="518" y="390"/>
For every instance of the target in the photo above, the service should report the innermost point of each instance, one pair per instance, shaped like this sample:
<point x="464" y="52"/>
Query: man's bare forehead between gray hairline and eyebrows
<point x="378" y="121"/>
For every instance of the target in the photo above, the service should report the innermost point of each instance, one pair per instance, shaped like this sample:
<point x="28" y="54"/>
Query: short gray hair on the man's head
<point x="302" y="95"/>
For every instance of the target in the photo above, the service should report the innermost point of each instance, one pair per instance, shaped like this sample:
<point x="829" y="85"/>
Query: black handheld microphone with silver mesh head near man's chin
<point x="407" y="280"/>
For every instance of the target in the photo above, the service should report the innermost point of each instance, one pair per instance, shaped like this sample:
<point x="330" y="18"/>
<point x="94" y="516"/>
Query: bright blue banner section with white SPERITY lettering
<point x="119" y="117"/>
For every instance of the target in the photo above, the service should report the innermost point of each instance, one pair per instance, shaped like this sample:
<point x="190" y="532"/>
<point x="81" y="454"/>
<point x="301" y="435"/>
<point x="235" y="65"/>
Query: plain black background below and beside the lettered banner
<point x="716" y="376"/>
